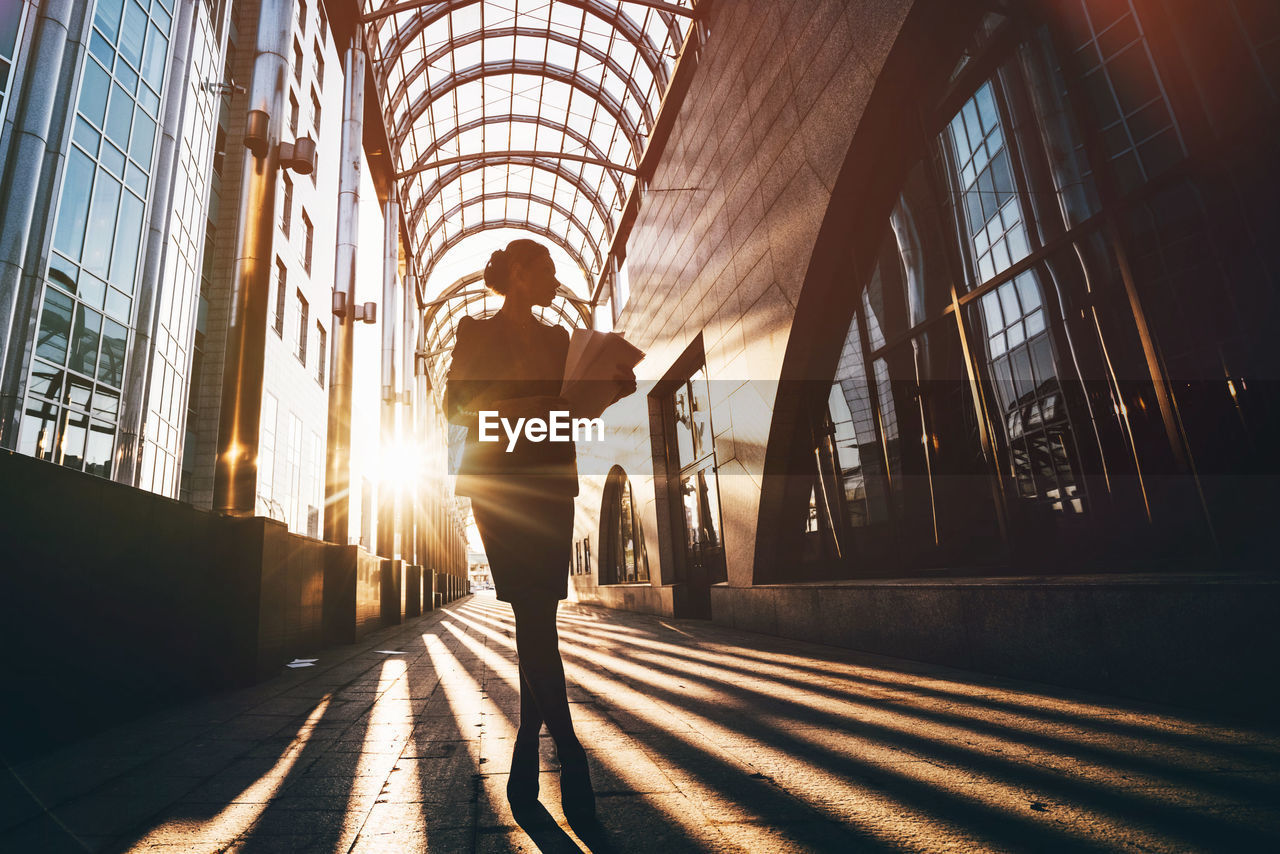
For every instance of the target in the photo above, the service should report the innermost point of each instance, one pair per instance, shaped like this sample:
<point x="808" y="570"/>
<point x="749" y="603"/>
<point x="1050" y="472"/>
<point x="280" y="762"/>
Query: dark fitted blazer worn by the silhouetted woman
<point x="488" y="358"/>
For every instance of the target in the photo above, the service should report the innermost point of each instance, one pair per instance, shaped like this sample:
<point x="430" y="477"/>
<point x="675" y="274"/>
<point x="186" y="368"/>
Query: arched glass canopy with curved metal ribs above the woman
<point x="527" y="115"/>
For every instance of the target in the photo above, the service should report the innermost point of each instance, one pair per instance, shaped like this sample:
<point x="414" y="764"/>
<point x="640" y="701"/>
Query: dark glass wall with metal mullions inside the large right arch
<point x="1062" y="353"/>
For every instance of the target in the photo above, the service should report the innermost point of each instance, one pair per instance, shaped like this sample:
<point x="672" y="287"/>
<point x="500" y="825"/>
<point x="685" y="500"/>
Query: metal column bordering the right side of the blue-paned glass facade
<point x="129" y="468"/>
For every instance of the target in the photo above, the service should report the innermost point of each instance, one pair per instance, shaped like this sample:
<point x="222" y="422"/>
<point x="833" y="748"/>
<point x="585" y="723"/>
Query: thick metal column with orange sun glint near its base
<point x="236" y="467"/>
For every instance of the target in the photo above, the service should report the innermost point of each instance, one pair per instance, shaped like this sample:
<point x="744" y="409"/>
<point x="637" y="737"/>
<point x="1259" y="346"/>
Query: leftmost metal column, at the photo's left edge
<point x="26" y="170"/>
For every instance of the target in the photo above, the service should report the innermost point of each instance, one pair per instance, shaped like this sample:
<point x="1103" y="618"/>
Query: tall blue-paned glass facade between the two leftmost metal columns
<point x="79" y="368"/>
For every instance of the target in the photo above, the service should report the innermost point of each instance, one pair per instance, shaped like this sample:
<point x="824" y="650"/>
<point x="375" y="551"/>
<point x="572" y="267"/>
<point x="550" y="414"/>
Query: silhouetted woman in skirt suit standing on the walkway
<point x="523" y="500"/>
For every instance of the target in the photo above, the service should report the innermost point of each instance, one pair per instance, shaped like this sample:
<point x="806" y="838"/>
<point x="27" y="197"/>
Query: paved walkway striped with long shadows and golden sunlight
<point x="703" y="739"/>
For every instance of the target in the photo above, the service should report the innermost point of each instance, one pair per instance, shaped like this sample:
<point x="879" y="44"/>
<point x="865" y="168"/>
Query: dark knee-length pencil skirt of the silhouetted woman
<point x="528" y="538"/>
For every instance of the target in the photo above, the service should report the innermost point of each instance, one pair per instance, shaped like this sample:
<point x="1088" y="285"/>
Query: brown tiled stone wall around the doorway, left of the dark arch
<point x="725" y="232"/>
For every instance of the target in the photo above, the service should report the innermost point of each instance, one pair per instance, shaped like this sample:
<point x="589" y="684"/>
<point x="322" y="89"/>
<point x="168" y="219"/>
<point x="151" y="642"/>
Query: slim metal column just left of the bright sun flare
<point x="337" y="505"/>
